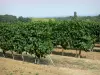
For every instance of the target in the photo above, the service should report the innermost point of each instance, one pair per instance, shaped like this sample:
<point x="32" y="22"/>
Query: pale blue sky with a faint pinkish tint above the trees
<point x="49" y="8"/>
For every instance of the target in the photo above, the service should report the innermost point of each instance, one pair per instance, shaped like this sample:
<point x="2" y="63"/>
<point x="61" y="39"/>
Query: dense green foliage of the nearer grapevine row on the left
<point x="33" y="38"/>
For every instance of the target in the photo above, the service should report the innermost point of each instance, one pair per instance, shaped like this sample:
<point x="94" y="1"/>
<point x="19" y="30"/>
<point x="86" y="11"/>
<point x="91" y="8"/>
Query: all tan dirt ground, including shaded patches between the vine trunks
<point x="89" y="64"/>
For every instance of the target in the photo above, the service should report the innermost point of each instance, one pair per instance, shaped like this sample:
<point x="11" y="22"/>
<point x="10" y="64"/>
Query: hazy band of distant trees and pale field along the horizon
<point x="14" y="19"/>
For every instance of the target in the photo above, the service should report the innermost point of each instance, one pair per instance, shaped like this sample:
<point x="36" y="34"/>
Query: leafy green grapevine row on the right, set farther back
<point x="76" y="34"/>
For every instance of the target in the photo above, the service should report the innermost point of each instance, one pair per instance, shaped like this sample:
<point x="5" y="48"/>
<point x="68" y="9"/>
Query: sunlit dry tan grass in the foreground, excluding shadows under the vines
<point x="64" y="66"/>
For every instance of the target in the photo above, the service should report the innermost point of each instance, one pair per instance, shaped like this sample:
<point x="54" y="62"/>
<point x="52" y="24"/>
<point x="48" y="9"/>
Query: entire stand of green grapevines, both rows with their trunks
<point x="40" y="38"/>
